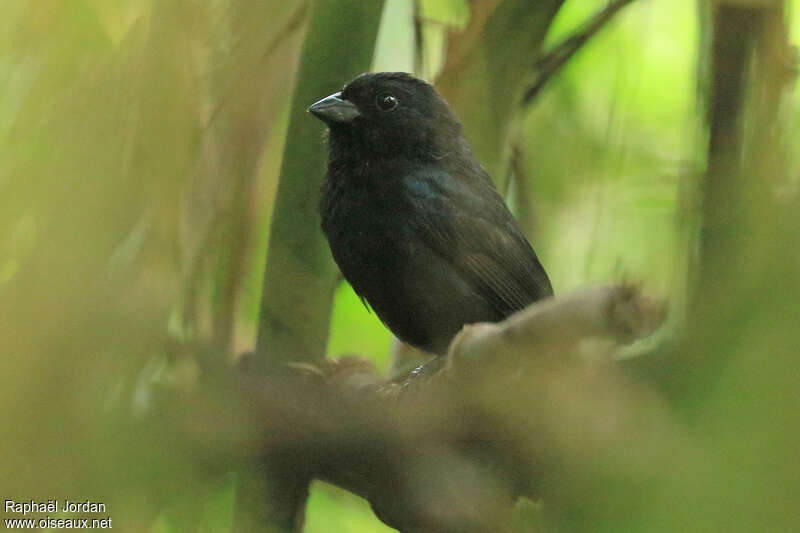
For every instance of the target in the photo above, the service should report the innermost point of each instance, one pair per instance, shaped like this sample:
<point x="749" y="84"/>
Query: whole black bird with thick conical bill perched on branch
<point x="413" y="220"/>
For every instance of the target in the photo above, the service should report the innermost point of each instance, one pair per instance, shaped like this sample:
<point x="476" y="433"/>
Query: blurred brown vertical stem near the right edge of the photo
<point x="743" y="94"/>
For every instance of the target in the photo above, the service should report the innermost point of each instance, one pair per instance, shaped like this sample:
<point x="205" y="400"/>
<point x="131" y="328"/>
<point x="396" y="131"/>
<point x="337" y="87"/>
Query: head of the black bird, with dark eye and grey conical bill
<point x="390" y="113"/>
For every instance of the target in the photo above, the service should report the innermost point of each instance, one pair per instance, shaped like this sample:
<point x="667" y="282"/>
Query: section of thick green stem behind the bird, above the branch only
<point x="300" y="275"/>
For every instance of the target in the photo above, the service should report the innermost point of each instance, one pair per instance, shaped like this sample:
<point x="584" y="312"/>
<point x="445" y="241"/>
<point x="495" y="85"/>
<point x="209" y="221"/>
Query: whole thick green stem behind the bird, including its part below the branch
<point x="300" y="275"/>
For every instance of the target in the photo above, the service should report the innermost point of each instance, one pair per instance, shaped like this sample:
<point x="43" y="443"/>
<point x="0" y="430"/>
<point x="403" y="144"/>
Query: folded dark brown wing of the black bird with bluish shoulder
<point x="465" y="221"/>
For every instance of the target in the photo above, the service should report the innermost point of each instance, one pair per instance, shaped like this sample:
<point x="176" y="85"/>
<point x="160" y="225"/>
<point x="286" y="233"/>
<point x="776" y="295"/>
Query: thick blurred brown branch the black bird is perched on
<point x="440" y="452"/>
